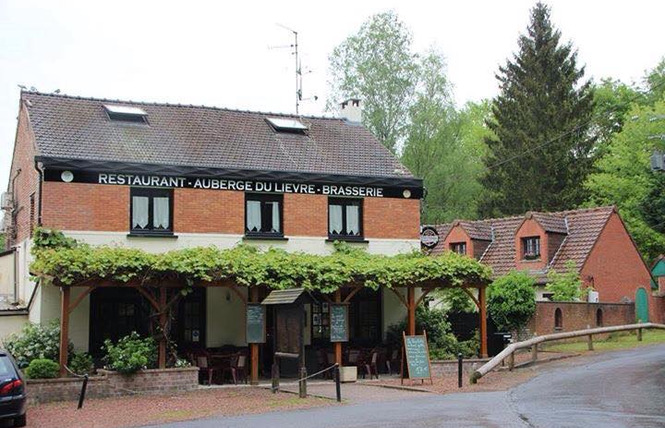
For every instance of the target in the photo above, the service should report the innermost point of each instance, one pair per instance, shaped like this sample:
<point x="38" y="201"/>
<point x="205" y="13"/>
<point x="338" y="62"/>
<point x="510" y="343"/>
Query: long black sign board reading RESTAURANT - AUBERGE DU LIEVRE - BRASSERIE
<point x="248" y="185"/>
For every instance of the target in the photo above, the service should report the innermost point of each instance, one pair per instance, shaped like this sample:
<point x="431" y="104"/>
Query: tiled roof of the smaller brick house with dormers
<point x="583" y="229"/>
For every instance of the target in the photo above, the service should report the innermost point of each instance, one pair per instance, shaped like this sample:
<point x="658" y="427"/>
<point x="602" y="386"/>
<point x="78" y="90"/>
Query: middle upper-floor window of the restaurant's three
<point x="263" y="215"/>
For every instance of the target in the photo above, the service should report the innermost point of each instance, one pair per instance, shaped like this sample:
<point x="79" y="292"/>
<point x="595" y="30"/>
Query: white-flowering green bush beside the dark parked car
<point x="35" y="341"/>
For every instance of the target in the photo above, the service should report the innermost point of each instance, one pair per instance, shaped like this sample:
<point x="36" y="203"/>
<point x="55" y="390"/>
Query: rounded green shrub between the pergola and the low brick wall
<point x="511" y="300"/>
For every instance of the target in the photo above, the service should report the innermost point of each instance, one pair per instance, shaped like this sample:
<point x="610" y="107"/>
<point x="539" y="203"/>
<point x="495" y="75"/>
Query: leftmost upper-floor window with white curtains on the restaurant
<point x="151" y="211"/>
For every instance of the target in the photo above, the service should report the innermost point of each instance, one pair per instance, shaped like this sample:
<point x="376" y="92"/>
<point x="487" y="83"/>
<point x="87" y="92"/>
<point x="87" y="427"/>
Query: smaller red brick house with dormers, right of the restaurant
<point x="595" y="239"/>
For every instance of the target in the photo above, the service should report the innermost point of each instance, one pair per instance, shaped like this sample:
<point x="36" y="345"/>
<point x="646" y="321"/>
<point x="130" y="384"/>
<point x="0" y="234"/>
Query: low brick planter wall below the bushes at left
<point x="113" y="384"/>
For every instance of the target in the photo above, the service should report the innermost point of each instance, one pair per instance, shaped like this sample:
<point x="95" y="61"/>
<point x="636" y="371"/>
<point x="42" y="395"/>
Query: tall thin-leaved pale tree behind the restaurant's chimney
<point x="378" y="65"/>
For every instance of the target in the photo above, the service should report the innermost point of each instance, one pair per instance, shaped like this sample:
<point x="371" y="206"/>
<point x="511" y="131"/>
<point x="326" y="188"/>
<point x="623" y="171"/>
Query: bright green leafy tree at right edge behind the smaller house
<point x="624" y="177"/>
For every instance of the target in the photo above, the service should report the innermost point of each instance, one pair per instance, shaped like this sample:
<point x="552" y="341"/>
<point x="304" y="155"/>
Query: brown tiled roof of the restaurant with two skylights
<point x="79" y="128"/>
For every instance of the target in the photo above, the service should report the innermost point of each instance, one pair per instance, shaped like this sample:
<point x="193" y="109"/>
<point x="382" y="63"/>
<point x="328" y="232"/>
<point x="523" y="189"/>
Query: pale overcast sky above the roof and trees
<point x="219" y="53"/>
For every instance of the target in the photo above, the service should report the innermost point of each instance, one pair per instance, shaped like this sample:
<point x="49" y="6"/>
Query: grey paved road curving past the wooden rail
<point x="621" y="389"/>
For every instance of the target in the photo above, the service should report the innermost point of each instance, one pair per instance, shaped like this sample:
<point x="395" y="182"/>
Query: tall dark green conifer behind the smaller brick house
<point x="541" y="151"/>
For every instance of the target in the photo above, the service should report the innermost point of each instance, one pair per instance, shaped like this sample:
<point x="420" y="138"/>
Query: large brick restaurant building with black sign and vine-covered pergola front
<point x="161" y="177"/>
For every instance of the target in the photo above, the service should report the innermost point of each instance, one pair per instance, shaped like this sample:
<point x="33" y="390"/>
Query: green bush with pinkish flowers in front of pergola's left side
<point x="131" y="354"/>
